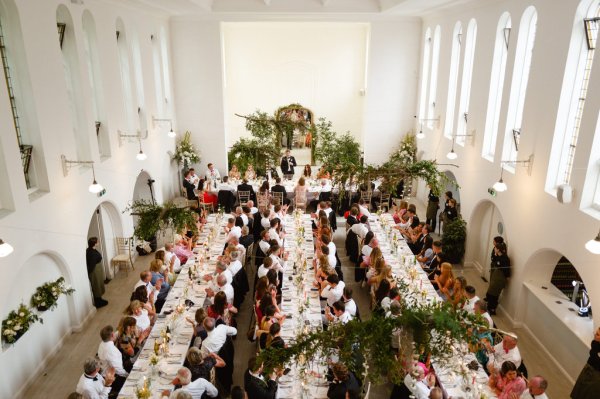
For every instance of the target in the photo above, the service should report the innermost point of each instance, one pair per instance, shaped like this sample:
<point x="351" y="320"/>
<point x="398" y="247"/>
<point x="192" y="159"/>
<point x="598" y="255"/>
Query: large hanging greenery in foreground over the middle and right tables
<point x="434" y="330"/>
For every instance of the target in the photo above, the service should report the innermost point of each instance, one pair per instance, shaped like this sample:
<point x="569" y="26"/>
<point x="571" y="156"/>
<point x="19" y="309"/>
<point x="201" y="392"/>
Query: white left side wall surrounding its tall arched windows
<point x="55" y="220"/>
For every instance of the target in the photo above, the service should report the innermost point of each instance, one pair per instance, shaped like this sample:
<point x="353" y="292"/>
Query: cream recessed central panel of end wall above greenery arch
<point x="320" y="65"/>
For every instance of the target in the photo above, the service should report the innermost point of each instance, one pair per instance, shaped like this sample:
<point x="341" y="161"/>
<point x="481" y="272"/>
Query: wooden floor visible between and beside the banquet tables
<point x="64" y="370"/>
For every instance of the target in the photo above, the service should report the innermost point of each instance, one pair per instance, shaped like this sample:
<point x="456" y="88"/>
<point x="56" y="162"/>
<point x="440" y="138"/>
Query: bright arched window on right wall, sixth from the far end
<point x="518" y="87"/>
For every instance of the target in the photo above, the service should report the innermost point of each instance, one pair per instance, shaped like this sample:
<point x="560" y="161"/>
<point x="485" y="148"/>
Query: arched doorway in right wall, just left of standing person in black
<point x="485" y="223"/>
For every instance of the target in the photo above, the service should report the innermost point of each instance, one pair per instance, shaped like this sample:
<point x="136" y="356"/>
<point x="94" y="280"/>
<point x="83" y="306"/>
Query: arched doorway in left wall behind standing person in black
<point x="105" y="224"/>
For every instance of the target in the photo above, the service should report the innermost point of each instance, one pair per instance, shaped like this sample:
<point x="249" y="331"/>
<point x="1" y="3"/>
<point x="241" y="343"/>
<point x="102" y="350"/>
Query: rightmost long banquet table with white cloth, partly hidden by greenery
<point x="456" y="379"/>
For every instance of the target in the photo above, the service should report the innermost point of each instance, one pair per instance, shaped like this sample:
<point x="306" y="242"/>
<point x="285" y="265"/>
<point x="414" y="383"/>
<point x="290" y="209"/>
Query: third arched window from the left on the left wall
<point x="90" y="45"/>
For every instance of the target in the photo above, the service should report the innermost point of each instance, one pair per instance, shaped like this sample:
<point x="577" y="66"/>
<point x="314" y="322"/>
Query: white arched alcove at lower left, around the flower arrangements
<point x="22" y="360"/>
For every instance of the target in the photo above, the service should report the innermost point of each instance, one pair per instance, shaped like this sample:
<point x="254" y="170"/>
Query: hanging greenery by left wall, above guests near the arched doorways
<point x="152" y="218"/>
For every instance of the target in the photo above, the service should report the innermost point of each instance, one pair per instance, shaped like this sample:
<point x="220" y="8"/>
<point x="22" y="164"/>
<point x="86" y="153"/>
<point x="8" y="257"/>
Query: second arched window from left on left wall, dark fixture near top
<point x="70" y="58"/>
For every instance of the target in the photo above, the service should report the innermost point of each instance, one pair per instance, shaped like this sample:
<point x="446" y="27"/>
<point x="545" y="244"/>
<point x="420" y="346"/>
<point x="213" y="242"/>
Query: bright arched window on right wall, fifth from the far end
<point x="496" y="86"/>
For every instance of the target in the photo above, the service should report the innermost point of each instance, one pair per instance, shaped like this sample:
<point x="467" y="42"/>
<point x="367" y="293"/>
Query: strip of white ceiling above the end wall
<point x="366" y="7"/>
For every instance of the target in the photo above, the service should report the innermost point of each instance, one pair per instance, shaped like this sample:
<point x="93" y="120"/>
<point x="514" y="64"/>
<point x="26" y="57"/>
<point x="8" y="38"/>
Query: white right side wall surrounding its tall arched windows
<point x="533" y="219"/>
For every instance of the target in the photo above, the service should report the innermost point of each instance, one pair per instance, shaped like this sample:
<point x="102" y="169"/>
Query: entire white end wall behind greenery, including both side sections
<point x="382" y="116"/>
